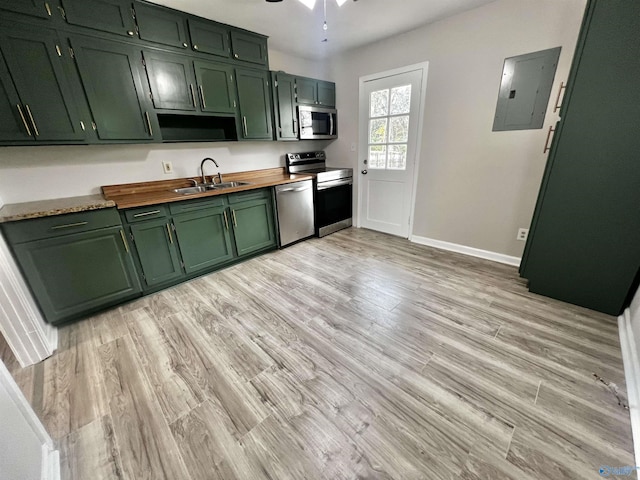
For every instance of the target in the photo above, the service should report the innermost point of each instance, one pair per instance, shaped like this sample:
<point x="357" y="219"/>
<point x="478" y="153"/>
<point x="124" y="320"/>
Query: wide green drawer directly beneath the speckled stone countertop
<point x="58" y="225"/>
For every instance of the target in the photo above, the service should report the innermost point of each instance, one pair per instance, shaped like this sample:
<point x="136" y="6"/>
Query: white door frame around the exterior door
<point x="423" y="67"/>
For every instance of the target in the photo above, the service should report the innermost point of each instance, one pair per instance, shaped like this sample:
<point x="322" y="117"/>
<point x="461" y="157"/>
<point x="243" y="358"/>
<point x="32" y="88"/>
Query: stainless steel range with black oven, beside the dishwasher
<point x="333" y="190"/>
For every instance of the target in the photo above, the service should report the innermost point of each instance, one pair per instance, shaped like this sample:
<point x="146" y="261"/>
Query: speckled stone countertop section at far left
<point x="47" y="208"/>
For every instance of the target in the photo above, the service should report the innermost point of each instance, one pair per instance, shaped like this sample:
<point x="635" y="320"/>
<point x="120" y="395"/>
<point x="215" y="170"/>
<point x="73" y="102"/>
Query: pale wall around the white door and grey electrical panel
<point x="475" y="187"/>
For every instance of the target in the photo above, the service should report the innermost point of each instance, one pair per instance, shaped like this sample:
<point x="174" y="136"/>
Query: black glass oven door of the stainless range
<point x="334" y="206"/>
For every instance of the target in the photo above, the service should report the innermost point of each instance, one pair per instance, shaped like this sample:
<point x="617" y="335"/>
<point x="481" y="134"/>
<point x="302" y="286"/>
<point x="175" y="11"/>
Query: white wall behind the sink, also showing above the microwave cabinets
<point x="38" y="173"/>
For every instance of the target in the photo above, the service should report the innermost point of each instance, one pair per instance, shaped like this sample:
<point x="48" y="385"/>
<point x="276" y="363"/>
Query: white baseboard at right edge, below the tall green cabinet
<point x="631" y="363"/>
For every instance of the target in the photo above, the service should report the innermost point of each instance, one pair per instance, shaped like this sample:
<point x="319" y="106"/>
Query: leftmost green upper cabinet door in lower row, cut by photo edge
<point x="13" y="123"/>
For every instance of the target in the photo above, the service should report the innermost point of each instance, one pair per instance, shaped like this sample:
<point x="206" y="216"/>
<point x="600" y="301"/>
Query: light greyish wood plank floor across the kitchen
<point x="358" y="355"/>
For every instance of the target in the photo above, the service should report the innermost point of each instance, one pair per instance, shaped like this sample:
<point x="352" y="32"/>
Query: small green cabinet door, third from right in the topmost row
<point x="161" y="25"/>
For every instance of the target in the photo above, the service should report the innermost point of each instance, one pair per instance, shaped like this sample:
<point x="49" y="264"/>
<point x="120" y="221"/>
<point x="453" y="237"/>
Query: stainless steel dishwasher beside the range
<point x="295" y="211"/>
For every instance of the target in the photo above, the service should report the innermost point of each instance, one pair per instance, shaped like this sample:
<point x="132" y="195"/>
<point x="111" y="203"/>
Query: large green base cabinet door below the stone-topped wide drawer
<point x="75" y="274"/>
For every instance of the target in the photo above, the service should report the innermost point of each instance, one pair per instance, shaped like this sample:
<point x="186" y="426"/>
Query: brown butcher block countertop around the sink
<point x="142" y="194"/>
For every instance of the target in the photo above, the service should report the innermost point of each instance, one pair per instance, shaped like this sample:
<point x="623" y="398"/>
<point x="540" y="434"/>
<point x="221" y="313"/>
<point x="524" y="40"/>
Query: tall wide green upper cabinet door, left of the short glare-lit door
<point x="112" y="79"/>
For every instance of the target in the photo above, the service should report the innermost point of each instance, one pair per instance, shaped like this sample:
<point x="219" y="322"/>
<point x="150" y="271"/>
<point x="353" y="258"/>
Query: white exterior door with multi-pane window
<point x="389" y="112"/>
